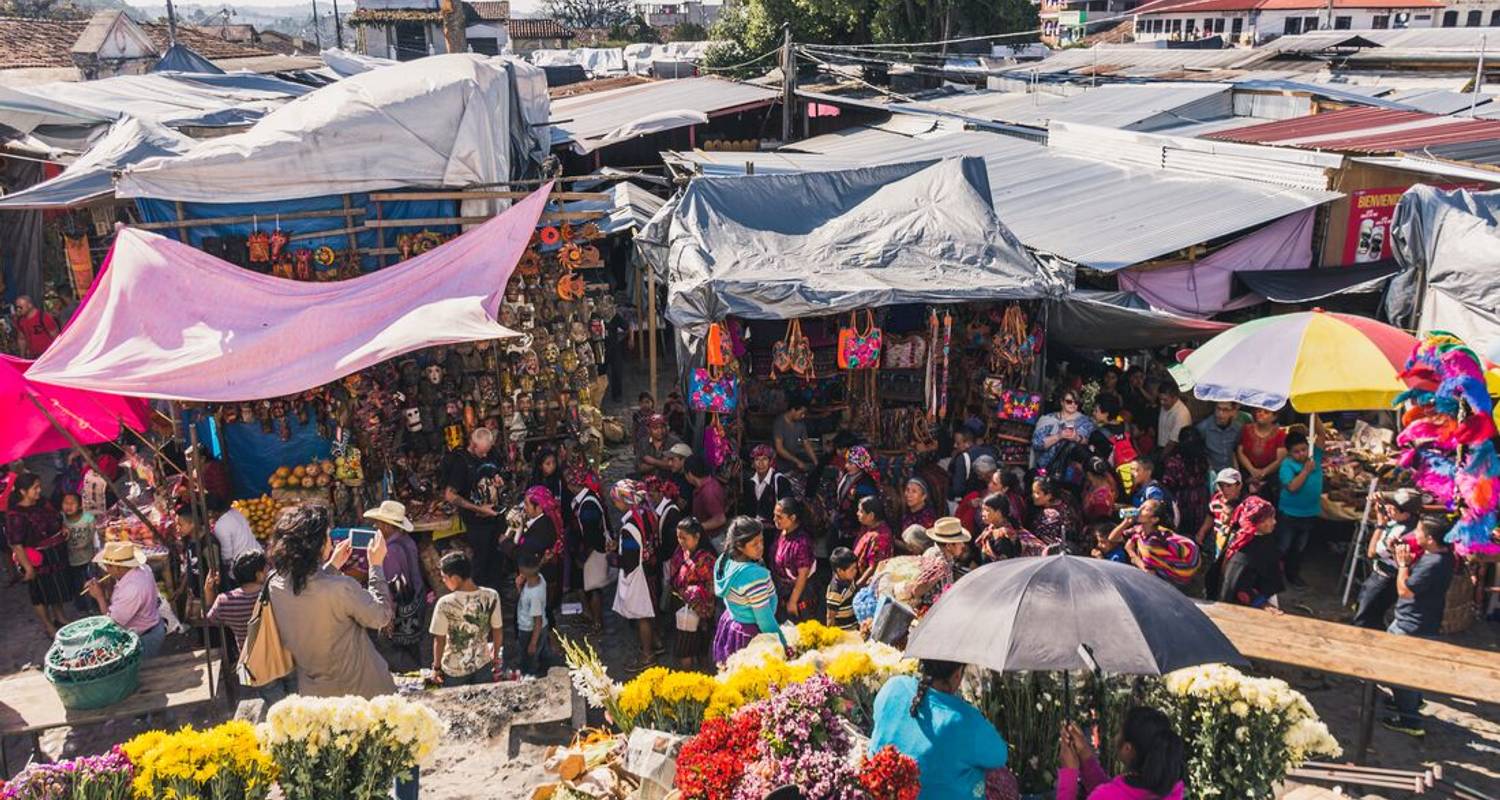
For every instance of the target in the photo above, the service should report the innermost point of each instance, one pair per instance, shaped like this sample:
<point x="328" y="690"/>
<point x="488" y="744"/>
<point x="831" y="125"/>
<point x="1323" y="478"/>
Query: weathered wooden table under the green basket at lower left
<point x="29" y="703"/>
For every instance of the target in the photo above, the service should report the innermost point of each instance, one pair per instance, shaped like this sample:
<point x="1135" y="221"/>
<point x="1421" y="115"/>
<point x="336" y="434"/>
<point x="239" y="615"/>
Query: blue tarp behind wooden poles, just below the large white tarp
<point x="164" y="211"/>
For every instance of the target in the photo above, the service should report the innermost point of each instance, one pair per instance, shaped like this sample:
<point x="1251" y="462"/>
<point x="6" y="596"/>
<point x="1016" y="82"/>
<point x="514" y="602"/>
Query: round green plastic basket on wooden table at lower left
<point x="103" y="684"/>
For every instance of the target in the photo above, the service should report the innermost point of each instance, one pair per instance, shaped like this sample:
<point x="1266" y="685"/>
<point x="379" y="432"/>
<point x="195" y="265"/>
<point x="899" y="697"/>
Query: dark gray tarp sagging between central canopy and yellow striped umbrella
<point x="1121" y="320"/>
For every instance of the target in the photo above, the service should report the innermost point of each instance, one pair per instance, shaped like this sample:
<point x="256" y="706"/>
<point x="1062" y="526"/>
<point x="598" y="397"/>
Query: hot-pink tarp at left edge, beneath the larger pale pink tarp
<point x="89" y="417"/>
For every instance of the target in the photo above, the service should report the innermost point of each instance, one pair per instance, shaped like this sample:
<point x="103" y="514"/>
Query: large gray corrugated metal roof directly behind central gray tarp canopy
<point x="1102" y="214"/>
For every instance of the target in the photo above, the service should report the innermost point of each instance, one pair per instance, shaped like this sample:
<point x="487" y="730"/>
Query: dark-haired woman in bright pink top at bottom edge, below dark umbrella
<point x="1151" y="753"/>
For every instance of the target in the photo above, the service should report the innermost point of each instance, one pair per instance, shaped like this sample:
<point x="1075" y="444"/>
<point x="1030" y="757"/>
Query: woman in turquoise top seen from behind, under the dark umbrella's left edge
<point x="926" y="720"/>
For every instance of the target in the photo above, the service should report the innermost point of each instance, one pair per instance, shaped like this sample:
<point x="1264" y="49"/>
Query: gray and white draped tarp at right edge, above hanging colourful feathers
<point x="1447" y="245"/>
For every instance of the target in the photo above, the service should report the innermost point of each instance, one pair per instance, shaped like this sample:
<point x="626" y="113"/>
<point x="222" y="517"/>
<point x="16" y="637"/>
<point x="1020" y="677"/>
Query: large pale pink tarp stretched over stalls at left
<point x="166" y="320"/>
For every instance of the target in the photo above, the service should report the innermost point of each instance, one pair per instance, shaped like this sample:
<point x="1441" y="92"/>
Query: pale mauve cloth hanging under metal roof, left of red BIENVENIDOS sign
<point x="1207" y="287"/>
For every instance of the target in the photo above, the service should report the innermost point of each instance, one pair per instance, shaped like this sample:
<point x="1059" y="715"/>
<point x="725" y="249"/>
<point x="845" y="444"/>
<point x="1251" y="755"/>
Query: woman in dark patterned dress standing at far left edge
<point x="40" y="549"/>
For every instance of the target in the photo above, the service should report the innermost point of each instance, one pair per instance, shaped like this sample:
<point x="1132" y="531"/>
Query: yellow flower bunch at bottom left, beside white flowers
<point x="220" y="763"/>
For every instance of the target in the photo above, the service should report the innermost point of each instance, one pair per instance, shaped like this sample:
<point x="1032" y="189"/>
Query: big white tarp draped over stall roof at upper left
<point x="445" y="121"/>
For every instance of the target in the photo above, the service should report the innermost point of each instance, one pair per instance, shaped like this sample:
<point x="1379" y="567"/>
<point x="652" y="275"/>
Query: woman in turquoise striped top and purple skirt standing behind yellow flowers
<point x="748" y="591"/>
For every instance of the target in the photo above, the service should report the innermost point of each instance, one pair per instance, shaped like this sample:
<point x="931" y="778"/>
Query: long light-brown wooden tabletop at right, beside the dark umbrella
<point x="1372" y="655"/>
